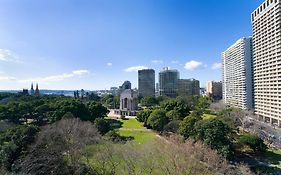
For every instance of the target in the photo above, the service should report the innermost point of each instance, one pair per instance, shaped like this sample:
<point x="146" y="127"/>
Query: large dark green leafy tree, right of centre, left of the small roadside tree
<point x="216" y="134"/>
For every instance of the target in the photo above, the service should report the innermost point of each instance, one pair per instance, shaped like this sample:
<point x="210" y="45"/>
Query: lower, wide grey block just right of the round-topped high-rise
<point x="188" y="87"/>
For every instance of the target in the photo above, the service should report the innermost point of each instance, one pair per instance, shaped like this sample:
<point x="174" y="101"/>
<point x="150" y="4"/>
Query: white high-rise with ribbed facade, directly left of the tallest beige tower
<point x="238" y="74"/>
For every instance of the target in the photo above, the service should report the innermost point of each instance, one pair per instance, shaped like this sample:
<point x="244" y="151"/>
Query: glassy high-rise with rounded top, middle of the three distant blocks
<point x="168" y="82"/>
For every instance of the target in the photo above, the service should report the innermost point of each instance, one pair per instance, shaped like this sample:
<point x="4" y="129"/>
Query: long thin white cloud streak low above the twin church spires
<point x="53" y="78"/>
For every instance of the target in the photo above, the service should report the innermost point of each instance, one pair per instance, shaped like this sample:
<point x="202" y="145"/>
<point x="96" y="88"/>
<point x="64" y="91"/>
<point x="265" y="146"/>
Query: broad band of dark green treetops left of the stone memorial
<point x="48" y="109"/>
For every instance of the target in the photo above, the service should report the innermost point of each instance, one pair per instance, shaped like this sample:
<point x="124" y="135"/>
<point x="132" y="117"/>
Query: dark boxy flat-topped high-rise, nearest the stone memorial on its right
<point x="146" y="82"/>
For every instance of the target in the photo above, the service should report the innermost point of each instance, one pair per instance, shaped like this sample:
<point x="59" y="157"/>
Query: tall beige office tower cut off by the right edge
<point x="266" y="22"/>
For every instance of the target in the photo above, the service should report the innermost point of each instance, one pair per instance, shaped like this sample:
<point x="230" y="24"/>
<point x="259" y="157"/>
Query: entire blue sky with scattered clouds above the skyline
<point x="96" y="44"/>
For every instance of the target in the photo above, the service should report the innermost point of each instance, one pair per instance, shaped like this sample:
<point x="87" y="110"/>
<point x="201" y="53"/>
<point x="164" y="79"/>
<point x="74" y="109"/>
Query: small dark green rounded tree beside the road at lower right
<point x="254" y="142"/>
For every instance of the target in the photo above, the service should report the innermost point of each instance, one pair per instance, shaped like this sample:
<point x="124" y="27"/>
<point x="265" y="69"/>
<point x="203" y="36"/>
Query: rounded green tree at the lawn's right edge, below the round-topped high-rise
<point x="157" y="119"/>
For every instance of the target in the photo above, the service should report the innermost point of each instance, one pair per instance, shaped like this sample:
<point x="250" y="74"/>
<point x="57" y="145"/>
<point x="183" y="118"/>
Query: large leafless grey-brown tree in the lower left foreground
<point x="58" y="148"/>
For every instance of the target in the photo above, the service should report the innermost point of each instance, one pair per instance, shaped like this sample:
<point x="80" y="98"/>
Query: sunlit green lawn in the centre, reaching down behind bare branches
<point x="129" y="127"/>
